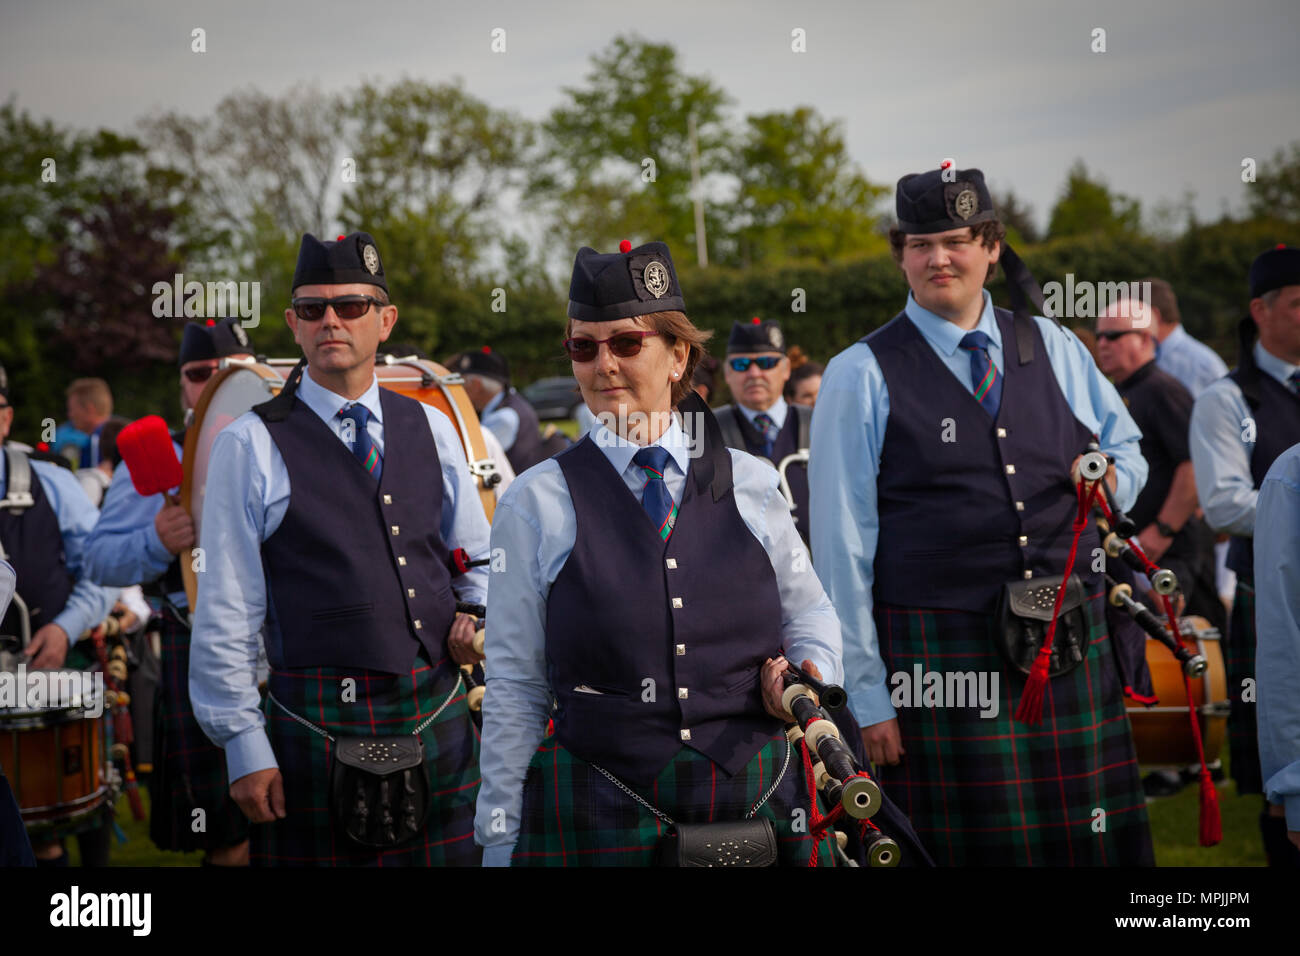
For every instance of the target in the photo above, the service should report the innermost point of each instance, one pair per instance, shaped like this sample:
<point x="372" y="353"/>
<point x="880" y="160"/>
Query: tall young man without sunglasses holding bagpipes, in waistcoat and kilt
<point x="943" y="451"/>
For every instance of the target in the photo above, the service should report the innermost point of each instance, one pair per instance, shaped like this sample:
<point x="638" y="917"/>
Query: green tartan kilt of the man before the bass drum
<point x="384" y="706"/>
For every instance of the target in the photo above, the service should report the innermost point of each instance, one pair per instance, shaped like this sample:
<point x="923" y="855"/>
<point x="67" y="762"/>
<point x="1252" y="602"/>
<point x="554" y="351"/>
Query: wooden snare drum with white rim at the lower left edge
<point x="55" y="758"/>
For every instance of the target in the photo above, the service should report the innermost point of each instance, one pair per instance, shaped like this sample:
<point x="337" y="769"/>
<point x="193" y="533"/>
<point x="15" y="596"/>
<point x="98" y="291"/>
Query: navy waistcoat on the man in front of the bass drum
<point x="358" y="570"/>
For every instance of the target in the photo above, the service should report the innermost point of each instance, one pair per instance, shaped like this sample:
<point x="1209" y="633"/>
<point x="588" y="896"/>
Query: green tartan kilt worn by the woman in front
<point x="574" y="816"/>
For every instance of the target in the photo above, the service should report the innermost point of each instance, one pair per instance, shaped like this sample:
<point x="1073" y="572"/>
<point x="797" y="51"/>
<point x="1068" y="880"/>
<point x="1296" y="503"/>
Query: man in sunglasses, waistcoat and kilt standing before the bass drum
<point x="330" y="521"/>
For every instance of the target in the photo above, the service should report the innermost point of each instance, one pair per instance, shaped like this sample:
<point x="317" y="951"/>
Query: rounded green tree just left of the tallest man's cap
<point x="801" y="196"/>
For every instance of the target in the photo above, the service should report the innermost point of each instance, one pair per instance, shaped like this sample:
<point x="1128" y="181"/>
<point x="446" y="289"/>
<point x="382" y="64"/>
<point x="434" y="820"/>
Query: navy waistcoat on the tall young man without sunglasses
<point x="968" y="504"/>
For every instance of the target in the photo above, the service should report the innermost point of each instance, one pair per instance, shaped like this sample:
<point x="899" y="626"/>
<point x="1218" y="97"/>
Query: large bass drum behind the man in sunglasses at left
<point x="240" y="386"/>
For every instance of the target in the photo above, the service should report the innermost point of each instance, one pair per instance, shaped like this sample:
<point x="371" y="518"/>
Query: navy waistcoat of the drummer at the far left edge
<point x="36" y="550"/>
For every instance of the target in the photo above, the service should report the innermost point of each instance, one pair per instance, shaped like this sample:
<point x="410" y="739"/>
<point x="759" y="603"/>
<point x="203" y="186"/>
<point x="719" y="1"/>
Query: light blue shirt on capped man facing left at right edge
<point x="1220" y="439"/>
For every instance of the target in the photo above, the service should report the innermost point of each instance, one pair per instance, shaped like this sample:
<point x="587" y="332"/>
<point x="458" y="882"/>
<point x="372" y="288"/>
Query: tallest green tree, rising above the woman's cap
<point x="617" y="153"/>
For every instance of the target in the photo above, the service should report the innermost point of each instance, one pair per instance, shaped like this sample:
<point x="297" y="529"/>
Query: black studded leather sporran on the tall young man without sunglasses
<point x="1024" y="615"/>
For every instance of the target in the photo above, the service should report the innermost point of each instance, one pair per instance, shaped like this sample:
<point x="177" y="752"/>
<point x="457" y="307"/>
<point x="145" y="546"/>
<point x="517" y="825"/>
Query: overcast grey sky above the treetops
<point x="1184" y="93"/>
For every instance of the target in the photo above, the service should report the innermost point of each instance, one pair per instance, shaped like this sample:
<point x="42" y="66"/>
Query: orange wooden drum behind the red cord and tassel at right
<point x="1163" y="734"/>
